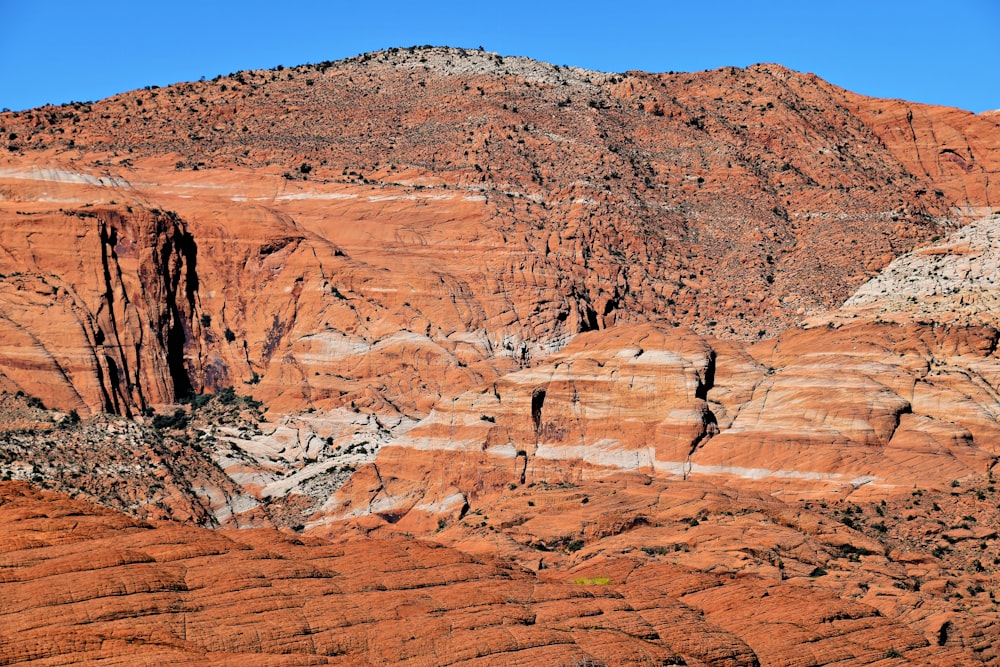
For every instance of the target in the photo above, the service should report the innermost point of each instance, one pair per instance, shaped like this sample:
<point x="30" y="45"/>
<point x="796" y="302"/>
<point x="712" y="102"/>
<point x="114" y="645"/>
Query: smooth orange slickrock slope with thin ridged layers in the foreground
<point x="84" y="584"/>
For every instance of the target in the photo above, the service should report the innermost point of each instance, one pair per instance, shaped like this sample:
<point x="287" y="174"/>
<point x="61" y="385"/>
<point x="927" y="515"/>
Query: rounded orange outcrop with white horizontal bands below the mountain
<point x="869" y="409"/>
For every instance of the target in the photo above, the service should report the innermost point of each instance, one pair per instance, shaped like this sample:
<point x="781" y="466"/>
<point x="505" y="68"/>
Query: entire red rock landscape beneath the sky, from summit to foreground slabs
<point x="542" y="365"/>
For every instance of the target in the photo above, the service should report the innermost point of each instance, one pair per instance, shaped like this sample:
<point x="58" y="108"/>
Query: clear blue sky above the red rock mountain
<point x="937" y="52"/>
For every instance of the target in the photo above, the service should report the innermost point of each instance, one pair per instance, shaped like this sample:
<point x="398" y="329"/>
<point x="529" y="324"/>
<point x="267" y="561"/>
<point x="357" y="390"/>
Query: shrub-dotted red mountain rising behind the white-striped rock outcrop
<point x="465" y="210"/>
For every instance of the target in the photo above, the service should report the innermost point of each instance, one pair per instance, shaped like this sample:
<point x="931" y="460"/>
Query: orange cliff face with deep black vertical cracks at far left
<point x="100" y="308"/>
